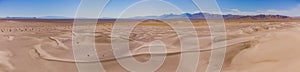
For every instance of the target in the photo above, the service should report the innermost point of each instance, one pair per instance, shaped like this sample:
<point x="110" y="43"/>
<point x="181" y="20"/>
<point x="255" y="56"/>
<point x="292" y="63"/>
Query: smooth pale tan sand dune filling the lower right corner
<point x="280" y="51"/>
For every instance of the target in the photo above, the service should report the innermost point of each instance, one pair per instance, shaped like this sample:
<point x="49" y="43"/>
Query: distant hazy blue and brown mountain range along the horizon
<point x="199" y="15"/>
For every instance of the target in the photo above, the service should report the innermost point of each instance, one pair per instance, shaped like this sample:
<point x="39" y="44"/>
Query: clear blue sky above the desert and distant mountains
<point x="67" y="8"/>
